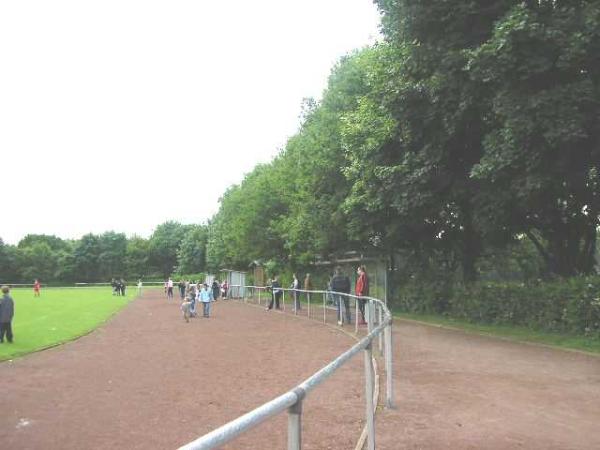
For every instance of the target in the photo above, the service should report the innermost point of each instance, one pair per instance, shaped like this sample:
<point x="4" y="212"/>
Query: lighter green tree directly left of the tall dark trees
<point x="312" y="166"/>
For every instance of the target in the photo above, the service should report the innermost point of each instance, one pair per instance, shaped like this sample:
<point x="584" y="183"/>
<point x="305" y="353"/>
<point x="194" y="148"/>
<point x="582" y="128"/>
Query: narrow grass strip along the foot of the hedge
<point x="515" y="333"/>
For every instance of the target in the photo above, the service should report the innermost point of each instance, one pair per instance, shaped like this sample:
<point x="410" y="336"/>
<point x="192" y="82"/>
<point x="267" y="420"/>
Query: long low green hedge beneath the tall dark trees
<point x="566" y="306"/>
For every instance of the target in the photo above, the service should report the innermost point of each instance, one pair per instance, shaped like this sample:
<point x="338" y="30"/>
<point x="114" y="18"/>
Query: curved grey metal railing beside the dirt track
<point x="379" y="321"/>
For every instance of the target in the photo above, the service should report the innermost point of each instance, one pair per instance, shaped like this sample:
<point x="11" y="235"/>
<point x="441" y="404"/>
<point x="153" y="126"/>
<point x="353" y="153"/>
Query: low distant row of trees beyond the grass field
<point x="172" y="248"/>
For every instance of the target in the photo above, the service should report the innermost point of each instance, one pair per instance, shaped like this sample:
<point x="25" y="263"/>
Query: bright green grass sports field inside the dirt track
<point x="58" y="315"/>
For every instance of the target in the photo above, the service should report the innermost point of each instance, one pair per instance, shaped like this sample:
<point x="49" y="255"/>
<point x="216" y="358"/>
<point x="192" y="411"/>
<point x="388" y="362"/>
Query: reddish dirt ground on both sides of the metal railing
<point x="147" y="379"/>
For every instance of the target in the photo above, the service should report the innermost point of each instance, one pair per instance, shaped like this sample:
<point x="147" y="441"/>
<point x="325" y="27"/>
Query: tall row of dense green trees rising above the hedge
<point x="467" y="141"/>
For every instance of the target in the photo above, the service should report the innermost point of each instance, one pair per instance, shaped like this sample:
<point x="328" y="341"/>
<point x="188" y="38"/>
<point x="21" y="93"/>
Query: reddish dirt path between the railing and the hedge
<point x="462" y="391"/>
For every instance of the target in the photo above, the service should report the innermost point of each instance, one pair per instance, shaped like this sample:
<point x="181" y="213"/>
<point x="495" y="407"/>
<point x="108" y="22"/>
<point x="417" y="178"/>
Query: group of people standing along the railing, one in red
<point x="338" y="285"/>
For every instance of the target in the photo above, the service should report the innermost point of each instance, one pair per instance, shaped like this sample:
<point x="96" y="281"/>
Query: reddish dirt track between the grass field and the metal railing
<point x="149" y="380"/>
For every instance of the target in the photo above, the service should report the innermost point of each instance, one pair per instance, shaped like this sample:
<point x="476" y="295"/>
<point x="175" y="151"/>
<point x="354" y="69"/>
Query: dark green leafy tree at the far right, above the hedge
<point x="542" y="157"/>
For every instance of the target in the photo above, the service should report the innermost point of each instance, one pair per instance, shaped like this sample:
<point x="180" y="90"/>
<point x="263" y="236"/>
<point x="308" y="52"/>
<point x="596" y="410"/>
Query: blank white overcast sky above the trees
<point x="120" y="115"/>
